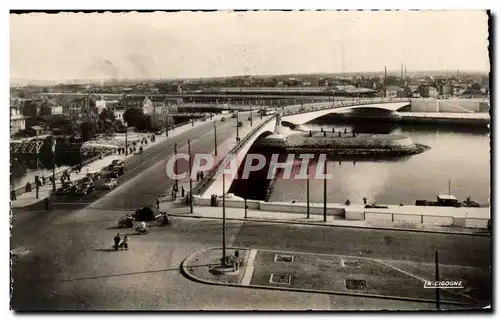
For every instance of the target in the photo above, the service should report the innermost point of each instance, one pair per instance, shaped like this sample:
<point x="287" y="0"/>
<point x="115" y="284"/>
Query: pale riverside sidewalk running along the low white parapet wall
<point x="177" y="209"/>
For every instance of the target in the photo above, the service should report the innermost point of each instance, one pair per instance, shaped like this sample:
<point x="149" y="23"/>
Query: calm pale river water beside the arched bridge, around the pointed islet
<point x="459" y="159"/>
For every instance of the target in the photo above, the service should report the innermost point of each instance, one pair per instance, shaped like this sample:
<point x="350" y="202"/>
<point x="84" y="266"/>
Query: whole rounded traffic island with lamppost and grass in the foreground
<point x="319" y="273"/>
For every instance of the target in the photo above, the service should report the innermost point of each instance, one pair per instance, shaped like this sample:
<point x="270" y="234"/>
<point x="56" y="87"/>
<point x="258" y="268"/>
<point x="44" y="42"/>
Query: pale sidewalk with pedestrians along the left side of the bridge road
<point x="29" y="198"/>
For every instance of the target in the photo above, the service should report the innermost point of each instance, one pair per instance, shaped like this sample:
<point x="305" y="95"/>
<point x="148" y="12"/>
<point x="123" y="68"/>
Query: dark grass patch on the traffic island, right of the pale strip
<point x="341" y="274"/>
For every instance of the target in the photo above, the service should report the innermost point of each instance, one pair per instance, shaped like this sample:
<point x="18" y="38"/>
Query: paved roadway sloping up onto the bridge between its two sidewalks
<point x="148" y="171"/>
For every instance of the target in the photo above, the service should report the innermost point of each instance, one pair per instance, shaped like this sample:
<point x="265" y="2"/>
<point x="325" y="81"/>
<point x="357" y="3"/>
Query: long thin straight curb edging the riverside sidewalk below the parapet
<point x="188" y="215"/>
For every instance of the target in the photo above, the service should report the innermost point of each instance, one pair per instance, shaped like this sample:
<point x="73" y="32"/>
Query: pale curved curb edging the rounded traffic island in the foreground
<point x="187" y="274"/>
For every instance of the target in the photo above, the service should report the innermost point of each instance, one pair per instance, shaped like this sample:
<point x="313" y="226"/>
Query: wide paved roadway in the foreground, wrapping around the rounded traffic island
<point x="71" y="266"/>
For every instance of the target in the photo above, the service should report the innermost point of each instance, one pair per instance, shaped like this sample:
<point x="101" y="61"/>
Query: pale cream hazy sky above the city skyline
<point x="203" y="44"/>
